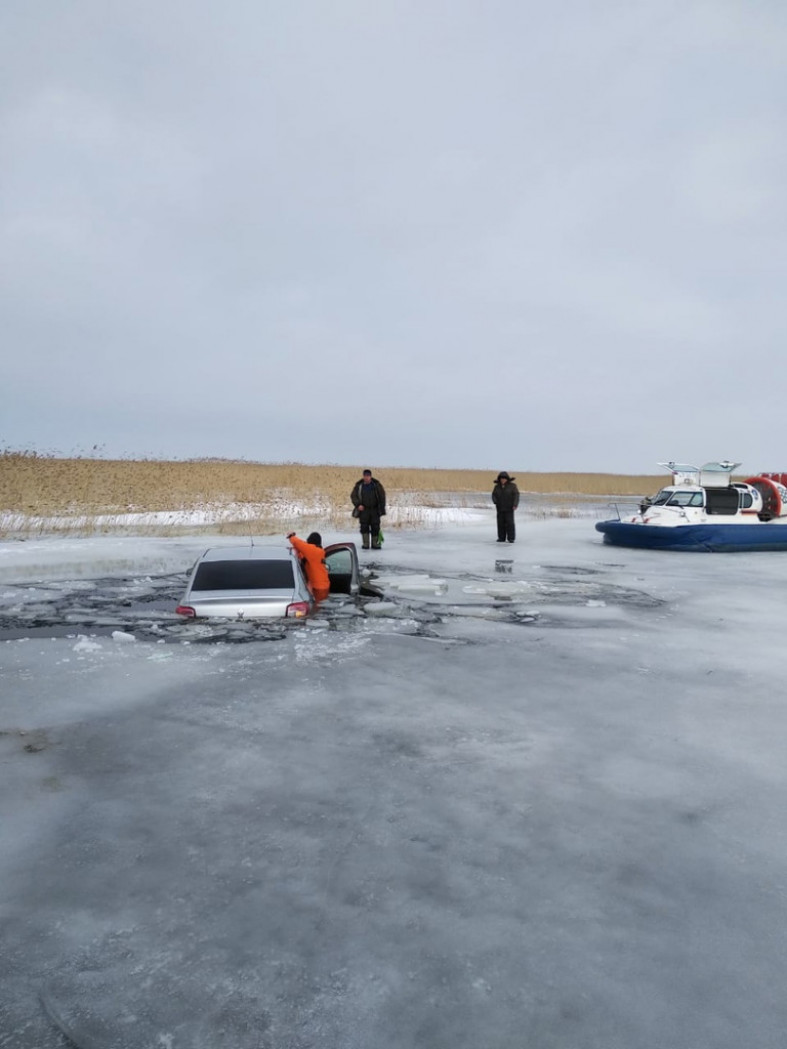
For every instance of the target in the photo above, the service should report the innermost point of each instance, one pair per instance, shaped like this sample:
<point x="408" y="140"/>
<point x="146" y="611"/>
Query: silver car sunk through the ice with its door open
<point x="262" y="583"/>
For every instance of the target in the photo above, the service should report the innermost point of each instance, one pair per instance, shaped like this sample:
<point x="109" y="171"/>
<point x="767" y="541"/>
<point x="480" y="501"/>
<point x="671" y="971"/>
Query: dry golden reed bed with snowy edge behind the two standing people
<point x="91" y="495"/>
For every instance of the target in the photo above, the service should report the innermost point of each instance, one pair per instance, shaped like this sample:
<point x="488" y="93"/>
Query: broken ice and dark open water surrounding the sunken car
<point x="417" y="602"/>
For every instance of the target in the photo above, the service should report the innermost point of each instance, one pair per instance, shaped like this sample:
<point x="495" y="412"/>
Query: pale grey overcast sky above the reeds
<point x="498" y="234"/>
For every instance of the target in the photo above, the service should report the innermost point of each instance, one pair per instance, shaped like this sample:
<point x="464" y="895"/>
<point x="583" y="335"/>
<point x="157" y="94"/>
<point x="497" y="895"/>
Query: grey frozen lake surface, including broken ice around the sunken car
<point x="535" y="797"/>
